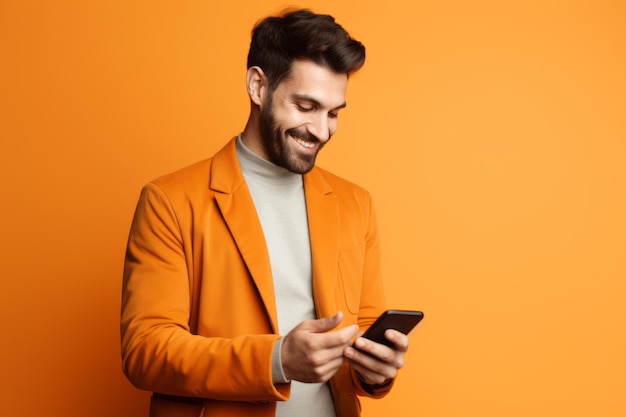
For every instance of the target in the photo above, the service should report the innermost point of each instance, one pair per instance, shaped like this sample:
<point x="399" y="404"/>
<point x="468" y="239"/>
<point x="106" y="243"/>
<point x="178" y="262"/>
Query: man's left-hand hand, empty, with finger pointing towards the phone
<point x="312" y="353"/>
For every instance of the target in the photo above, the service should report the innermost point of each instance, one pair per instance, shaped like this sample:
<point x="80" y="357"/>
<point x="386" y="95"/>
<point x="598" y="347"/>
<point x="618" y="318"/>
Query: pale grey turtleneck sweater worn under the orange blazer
<point x="278" y="196"/>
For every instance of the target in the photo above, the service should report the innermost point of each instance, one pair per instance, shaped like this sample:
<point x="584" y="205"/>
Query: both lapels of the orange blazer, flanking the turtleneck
<point x="236" y="205"/>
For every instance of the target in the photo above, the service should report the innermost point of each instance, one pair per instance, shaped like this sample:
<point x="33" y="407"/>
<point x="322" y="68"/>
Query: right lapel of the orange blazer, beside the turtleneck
<point x="322" y="211"/>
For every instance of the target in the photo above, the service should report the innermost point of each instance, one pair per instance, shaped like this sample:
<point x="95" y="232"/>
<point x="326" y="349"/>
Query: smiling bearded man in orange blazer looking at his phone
<point x="248" y="275"/>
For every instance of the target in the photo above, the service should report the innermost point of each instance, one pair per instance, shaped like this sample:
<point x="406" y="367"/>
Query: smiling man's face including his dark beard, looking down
<point x="300" y="116"/>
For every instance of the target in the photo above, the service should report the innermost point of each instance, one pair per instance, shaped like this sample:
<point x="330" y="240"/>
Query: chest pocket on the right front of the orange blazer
<point x="351" y="276"/>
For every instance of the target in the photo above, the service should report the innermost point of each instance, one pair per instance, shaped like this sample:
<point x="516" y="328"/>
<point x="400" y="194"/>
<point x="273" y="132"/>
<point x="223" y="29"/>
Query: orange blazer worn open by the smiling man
<point x="198" y="320"/>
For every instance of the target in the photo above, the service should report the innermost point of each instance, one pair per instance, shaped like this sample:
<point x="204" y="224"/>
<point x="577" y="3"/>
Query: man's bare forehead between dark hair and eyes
<point x="315" y="81"/>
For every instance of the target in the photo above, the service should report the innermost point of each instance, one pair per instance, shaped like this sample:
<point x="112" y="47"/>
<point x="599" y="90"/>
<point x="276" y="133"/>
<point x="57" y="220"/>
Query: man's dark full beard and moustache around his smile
<point x="276" y="143"/>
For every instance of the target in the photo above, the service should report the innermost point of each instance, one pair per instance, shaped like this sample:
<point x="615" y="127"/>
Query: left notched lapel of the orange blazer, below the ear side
<point x="239" y="212"/>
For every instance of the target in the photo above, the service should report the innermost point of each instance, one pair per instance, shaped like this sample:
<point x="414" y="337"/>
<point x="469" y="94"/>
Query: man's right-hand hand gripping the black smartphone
<point x="380" y="363"/>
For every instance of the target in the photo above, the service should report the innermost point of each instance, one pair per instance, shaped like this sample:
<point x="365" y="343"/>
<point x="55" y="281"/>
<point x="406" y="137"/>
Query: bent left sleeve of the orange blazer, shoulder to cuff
<point x="159" y="352"/>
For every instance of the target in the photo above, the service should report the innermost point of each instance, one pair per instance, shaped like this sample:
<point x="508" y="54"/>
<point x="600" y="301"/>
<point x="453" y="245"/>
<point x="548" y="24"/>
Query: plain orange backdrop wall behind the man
<point x="491" y="134"/>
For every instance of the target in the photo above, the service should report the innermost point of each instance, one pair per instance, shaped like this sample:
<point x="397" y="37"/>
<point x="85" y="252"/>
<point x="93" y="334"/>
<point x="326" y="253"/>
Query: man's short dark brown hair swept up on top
<point x="302" y="34"/>
